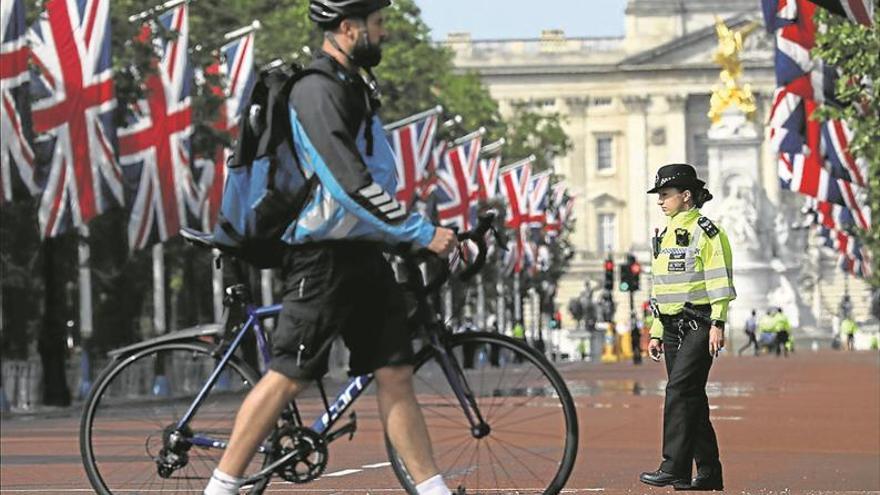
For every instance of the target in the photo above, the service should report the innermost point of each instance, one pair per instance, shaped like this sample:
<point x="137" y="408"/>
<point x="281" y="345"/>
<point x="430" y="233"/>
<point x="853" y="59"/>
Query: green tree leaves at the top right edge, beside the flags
<point x="847" y="45"/>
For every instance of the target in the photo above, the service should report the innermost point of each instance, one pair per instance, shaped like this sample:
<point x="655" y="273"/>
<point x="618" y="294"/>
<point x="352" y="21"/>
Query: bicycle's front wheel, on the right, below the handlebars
<point x="532" y="445"/>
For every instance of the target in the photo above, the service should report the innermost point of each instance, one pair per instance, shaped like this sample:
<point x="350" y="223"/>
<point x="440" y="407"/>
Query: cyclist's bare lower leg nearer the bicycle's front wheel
<point x="403" y="421"/>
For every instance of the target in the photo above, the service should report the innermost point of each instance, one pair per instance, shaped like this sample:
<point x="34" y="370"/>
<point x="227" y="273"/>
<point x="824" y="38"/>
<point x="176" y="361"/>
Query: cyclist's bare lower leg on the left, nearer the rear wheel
<point x="255" y="419"/>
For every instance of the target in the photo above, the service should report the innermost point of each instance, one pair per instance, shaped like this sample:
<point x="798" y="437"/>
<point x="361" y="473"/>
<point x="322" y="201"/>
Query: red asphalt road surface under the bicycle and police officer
<point x="807" y="424"/>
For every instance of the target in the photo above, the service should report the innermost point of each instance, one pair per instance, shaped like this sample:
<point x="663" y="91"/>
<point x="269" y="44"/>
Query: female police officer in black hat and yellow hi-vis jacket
<point x="692" y="264"/>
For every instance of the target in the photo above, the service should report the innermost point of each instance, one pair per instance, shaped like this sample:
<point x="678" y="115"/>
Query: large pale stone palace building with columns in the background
<point x="632" y="104"/>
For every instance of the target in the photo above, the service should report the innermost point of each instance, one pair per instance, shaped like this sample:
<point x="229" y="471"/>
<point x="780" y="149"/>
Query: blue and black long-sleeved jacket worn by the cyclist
<point x="354" y="197"/>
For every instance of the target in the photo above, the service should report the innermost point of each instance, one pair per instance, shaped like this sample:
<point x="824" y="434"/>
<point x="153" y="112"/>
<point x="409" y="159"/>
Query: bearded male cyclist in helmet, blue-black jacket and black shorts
<point x="336" y="279"/>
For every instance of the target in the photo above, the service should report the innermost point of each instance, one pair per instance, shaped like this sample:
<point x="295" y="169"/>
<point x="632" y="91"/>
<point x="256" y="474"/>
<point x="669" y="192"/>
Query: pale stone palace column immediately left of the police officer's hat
<point x="637" y="164"/>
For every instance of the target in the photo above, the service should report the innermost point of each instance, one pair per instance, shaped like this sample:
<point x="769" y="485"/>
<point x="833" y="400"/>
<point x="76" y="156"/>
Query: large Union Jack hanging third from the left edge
<point x="154" y="147"/>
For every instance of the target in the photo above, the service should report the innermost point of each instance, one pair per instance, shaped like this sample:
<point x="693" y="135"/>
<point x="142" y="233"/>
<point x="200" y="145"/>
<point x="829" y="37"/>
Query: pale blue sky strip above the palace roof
<point x="492" y="19"/>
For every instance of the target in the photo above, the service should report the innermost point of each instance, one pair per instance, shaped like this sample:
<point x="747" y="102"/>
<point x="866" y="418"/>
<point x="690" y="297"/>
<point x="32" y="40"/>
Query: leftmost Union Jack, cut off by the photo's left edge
<point x="16" y="155"/>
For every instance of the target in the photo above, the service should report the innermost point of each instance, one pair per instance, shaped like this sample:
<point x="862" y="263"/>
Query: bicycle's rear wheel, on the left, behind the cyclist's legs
<point x="139" y="399"/>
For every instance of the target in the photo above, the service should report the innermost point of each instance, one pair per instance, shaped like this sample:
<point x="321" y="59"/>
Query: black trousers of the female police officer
<point x="688" y="435"/>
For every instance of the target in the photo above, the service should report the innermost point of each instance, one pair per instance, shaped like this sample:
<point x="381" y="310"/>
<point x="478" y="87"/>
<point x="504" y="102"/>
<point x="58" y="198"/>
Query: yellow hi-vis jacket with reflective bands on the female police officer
<point x="694" y="264"/>
